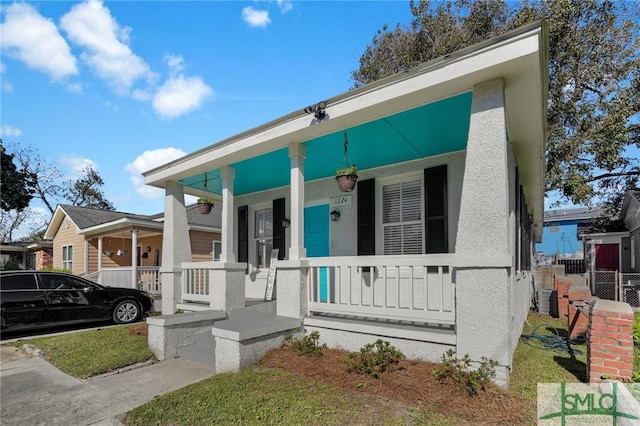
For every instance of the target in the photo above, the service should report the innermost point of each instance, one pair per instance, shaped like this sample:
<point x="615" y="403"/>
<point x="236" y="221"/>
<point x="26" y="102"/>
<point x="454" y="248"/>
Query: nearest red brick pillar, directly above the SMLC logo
<point x="609" y="341"/>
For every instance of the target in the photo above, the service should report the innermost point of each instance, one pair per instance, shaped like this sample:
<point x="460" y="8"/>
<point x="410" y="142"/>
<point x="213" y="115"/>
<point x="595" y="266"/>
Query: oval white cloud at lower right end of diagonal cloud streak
<point x="180" y="95"/>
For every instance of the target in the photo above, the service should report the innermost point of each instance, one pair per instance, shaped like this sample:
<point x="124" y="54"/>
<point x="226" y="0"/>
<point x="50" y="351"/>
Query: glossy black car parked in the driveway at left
<point x="32" y="299"/>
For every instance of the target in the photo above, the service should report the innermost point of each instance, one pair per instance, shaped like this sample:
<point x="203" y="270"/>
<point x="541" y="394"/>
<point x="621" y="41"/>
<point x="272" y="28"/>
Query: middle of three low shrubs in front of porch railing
<point x="373" y="358"/>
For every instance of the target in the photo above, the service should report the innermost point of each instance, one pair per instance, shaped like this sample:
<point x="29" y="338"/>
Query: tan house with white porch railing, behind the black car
<point x="123" y="249"/>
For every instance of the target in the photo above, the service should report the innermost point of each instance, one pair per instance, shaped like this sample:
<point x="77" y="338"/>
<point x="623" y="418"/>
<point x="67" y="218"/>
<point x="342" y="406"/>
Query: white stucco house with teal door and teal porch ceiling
<point x="431" y="250"/>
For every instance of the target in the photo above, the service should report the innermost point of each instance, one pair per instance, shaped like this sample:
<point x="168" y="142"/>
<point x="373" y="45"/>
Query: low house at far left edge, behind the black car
<point x="26" y="254"/>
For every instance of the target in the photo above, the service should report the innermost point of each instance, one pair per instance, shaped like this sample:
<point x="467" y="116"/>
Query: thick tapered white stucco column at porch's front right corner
<point x="483" y="312"/>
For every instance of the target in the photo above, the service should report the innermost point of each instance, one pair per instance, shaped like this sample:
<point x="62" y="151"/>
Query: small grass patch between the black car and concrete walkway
<point x="93" y="352"/>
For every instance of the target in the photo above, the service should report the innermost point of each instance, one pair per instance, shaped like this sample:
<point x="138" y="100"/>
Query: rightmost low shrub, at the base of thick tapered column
<point x="457" y="370"/>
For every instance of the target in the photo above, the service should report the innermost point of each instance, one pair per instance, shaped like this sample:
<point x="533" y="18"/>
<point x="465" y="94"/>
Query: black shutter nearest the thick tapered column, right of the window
<point x="435" y="207"/>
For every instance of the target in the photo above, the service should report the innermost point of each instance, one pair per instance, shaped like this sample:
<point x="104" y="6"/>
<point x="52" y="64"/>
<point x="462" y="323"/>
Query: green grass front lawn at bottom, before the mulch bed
<point x="257" y="396"/>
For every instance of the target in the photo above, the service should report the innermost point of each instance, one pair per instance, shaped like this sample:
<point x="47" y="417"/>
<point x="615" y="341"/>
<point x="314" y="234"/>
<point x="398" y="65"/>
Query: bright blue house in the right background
<point x="562" y="232"/>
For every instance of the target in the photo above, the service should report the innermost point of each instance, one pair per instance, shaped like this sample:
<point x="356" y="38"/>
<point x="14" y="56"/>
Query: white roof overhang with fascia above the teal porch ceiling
<point x="520" y="58"/>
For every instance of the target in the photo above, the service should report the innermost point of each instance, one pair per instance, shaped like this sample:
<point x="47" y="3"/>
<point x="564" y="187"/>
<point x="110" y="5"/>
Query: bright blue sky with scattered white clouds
<point x="126" y="86"/>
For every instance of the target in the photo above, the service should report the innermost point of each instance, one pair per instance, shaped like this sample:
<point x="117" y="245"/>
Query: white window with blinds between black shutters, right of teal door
<point x="402" y="222"/>
